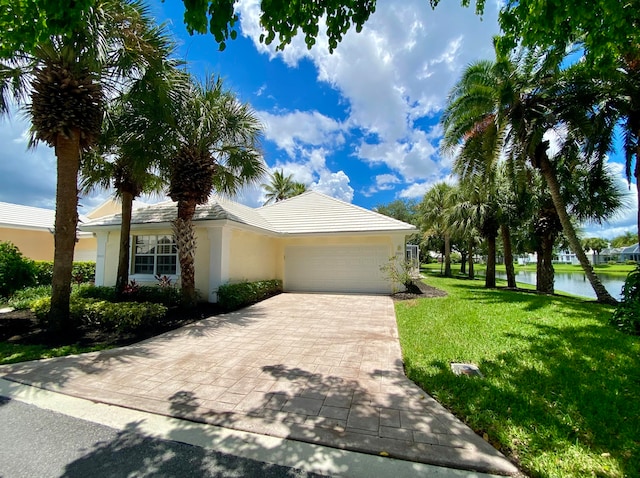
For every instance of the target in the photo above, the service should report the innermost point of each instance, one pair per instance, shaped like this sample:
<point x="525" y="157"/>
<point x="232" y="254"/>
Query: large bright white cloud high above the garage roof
<point x="398" y="70"/>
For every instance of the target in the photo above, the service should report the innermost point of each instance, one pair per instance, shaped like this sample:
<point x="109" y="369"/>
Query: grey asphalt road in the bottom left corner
<point x="40" y="443"/>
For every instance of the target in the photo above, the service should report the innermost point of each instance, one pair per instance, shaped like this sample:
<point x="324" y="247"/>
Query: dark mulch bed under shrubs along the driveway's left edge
<point x="22" y="327"/>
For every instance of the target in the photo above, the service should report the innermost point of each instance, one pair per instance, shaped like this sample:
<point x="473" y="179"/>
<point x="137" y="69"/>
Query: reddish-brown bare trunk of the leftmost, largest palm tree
<point x="68" y="155"/>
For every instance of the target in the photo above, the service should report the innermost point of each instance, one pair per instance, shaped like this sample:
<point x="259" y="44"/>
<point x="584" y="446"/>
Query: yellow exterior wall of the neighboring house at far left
<point x="39" y="244"/>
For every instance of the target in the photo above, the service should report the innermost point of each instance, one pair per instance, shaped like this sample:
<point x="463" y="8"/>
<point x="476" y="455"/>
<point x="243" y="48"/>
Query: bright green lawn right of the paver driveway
<point x="561" y="392"/>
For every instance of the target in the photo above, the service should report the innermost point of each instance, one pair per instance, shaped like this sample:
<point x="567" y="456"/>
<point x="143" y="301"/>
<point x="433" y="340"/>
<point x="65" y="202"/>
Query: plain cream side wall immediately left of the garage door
<point x="252" y="257"/>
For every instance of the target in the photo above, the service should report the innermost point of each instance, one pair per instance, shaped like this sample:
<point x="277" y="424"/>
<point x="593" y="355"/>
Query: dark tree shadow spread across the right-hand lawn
<point x="575" y="386"/>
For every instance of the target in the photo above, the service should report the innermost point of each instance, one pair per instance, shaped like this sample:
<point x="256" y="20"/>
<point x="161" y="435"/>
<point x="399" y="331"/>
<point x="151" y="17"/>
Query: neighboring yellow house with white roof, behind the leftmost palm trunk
<point x="31" y="230"/>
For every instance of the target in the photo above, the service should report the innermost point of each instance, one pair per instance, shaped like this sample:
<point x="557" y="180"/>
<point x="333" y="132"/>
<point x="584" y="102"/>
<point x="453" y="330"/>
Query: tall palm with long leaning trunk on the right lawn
<point x="510" y="105"/>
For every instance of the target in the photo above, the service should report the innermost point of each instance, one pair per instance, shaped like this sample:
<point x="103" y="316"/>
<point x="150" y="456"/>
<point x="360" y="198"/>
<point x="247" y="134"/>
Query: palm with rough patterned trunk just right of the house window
<point x="216" y="149"/>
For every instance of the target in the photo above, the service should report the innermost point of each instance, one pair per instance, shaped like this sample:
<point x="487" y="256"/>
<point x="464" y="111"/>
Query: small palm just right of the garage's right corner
<point x="434" y="215"/>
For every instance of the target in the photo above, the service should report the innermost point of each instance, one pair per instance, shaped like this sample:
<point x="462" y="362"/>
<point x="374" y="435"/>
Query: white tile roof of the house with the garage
<point x="309" y="213"/>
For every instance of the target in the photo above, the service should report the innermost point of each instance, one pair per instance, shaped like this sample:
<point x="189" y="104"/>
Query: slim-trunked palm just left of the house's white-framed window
<point x="132" y="145"/>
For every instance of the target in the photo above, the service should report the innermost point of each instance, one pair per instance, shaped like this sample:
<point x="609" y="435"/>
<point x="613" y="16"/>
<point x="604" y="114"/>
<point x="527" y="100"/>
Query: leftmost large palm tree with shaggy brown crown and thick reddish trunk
<point x="63" y="85"/>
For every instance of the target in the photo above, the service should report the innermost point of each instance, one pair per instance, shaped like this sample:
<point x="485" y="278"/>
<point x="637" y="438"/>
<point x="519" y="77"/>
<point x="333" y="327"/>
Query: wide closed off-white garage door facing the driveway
<point x="336" y="269"/>
